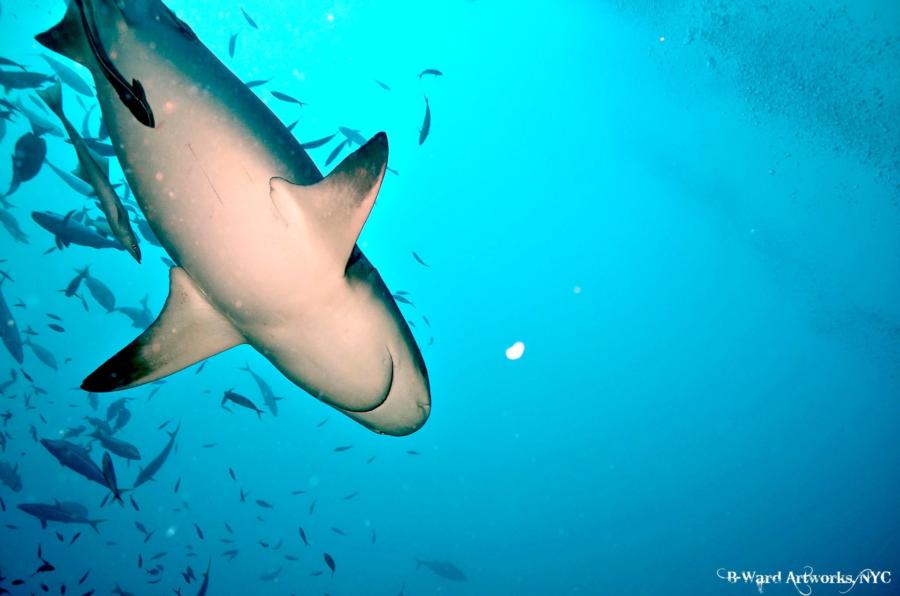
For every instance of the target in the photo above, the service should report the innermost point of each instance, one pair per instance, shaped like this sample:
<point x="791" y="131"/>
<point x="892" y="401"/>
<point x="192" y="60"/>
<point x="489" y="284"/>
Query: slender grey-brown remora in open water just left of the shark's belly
<point x="109" y="200"/>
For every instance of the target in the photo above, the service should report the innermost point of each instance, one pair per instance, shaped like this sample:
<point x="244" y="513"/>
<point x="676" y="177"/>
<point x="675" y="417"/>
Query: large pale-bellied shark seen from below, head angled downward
<point x="265" y="246"/>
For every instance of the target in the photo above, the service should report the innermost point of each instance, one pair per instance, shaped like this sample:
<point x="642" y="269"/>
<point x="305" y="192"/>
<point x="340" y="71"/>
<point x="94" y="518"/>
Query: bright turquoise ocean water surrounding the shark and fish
<point x="686" y="212"/>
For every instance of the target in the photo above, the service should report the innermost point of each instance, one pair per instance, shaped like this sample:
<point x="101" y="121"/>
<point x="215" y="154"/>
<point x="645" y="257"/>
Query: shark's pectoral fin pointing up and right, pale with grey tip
<point x="334" y="209"/>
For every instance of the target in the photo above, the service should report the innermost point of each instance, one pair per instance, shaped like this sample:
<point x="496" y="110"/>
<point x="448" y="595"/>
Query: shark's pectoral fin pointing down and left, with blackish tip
<point x="189" y="329"/>
